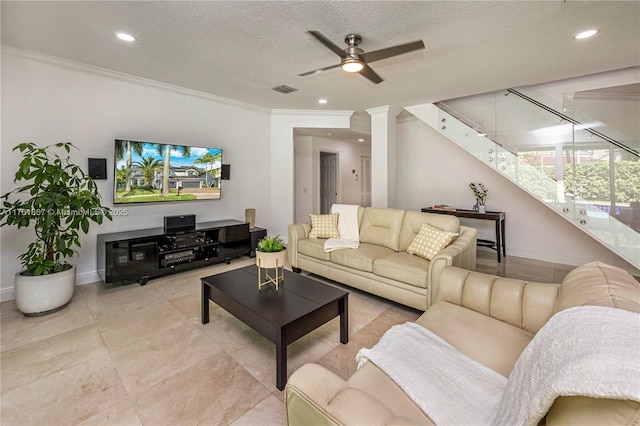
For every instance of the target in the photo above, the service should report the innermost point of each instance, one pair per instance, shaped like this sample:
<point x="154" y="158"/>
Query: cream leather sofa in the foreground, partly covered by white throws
<point x="487" y="318"/>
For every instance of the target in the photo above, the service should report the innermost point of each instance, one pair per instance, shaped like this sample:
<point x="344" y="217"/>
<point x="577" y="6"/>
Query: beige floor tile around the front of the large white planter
<point x="18" y="330"/>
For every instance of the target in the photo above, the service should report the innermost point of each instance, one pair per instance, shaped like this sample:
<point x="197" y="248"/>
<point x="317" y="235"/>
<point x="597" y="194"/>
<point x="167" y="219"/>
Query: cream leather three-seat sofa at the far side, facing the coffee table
<point x="381" y="264"/>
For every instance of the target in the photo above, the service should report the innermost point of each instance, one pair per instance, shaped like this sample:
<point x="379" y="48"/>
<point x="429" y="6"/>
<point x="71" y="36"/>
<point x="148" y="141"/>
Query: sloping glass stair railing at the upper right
<point x="564" y="158"/>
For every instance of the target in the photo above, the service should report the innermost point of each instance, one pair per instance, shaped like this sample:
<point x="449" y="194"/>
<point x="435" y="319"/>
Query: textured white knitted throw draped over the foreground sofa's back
<point x="589" y="350"/>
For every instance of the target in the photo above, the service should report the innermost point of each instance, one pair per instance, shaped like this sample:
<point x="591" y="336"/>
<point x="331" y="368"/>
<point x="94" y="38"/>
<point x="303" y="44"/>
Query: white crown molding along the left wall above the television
<point x="117" y="75"/>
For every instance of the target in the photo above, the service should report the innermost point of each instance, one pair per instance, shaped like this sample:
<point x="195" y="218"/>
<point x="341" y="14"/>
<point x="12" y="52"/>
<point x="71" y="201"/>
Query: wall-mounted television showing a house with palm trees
<point x="147" y="172"/>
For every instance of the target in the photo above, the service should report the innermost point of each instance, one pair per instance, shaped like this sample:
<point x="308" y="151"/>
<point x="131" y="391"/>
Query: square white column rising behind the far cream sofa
<point x="383" y="156"/>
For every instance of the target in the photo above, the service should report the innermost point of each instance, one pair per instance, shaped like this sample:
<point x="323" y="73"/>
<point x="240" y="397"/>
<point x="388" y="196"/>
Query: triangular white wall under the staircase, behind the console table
<point x="434" y="170"/>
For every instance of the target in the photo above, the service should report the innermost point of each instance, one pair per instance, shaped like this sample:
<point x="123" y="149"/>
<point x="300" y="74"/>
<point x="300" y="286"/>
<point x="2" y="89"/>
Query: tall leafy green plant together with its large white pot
<point x="58" y="200"/>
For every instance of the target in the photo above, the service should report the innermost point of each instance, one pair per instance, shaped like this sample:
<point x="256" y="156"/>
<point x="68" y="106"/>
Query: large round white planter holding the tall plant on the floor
<point x="44" y="294"/>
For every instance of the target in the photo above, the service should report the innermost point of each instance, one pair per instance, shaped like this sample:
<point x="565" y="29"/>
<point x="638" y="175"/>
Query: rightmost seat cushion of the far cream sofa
<point x="403" y="267"/>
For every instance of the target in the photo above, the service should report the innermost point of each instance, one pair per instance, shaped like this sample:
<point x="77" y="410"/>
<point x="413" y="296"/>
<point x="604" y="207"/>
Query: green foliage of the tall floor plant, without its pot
<point x="58" y="199"/>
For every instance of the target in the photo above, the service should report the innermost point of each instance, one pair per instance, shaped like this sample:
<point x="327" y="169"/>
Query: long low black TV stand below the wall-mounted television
<point x="138" y="256"/>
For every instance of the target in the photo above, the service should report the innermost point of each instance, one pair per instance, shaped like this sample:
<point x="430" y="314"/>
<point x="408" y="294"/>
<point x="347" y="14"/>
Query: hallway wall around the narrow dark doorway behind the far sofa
<point x="307" y="182"/>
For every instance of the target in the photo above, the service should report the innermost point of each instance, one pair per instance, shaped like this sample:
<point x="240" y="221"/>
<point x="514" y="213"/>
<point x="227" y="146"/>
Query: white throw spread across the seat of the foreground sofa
<point x="449" y="387"/>
